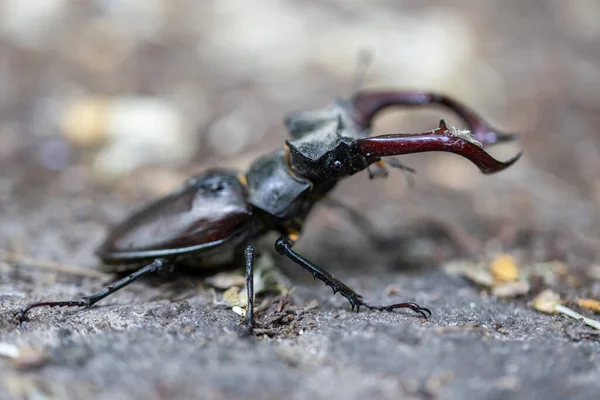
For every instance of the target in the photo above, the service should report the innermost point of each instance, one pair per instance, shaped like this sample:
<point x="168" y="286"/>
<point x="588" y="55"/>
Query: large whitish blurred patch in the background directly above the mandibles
<point x="408" y="49"/>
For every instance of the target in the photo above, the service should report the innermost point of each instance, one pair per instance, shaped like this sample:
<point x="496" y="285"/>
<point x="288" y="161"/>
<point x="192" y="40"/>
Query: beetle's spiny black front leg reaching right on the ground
<point x="284" y="247"/>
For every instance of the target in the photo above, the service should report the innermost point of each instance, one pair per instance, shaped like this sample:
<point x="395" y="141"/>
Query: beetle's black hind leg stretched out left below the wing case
<point x="87" y="301"/>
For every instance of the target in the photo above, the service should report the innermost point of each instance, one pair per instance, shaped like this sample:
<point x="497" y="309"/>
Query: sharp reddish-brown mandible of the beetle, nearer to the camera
<point x="441" y="139"/>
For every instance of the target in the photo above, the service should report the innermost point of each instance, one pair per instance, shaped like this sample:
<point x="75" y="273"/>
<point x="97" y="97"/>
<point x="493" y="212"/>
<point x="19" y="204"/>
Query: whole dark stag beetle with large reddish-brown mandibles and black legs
<point x="213" y="217"/>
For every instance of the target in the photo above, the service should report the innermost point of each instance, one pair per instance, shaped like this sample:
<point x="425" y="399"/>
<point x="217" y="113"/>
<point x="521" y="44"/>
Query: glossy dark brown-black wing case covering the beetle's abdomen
<point x="209" y="210"/>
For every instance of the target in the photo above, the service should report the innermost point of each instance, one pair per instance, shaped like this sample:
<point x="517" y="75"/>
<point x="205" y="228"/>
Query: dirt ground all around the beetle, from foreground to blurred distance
<point x="75" y="77"/>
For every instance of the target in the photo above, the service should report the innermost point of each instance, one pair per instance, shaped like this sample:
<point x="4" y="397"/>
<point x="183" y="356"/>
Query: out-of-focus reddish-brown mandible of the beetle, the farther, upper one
<point x="367" y="104"/>
